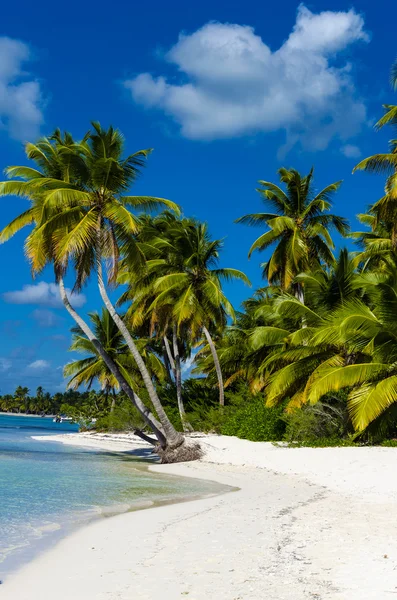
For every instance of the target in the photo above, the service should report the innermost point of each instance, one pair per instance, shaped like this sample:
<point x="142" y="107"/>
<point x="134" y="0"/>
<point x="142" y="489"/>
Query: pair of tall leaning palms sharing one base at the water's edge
<point x="82" y="215"/>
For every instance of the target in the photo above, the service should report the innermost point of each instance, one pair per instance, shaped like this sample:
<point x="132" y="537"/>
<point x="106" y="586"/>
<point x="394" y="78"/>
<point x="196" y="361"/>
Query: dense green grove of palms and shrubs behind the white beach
<point x="311" y="357"/>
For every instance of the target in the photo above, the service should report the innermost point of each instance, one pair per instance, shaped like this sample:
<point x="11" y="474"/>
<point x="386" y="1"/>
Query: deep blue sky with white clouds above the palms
<point x="225" y="93"/>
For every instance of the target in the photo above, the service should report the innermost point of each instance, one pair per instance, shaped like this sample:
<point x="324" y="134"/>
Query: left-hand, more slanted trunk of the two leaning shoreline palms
<point x="149" y="419"/>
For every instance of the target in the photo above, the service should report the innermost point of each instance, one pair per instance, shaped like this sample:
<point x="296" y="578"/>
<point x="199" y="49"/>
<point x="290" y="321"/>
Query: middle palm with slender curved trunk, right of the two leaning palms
<point x="188" y="282"/>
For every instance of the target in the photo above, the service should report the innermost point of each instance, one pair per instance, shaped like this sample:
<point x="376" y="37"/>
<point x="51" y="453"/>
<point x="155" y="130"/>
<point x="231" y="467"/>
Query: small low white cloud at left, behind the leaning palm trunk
<point x="44" y="294"/>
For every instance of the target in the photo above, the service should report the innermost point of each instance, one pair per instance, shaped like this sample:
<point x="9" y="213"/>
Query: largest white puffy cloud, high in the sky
<point x="233" y="84"/>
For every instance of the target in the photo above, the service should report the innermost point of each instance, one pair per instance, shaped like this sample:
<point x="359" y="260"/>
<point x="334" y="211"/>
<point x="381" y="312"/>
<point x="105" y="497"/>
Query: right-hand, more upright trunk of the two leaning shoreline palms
<point x="174" y="438"/>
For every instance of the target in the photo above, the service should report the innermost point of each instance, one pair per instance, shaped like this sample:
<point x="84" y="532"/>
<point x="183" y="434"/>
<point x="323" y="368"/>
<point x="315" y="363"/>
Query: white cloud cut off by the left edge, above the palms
<point x="21" y="99"/>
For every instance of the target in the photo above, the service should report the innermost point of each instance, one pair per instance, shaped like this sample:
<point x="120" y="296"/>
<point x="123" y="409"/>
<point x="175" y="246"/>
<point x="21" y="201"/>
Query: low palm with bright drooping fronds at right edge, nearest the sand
<point x="371" y="377"/>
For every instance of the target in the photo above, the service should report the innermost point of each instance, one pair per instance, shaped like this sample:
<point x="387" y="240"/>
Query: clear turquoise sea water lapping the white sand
<point x="47" y="488"/>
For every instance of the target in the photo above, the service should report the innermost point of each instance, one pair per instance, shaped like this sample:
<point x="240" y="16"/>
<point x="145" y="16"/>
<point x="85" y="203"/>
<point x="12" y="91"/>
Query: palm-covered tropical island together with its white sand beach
<point x="291" y="400"/>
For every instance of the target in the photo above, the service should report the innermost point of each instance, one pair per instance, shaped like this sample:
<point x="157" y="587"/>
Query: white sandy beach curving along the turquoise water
<point x="305" y="524"/>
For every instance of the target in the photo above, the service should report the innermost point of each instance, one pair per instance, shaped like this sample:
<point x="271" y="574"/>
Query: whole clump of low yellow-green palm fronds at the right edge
<point x="352" y="348"/>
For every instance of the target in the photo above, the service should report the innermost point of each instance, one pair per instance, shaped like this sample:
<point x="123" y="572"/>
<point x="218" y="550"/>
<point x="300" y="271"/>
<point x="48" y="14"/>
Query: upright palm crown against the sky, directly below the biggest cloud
<point x="299" y="228"/>
